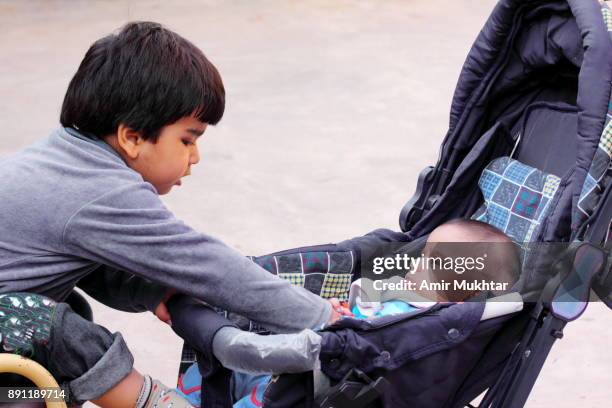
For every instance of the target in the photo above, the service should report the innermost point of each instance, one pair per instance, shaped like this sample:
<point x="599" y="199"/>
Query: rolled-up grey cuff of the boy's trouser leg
<point x="113" y="367"/>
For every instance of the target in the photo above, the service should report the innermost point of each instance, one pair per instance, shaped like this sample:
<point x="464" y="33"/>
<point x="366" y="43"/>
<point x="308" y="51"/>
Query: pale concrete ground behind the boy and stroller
<point x="333" y="107"/>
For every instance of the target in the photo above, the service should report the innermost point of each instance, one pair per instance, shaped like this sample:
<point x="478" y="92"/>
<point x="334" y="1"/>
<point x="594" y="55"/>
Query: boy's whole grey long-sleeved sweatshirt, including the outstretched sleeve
<point x="70" y="208"/>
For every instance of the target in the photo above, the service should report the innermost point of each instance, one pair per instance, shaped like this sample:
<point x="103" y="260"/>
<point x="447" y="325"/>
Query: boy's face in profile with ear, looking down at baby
<point x="166" y="161"/>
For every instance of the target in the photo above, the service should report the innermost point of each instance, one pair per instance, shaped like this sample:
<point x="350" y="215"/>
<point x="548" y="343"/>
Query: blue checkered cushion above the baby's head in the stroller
<point x="516" y="196"/>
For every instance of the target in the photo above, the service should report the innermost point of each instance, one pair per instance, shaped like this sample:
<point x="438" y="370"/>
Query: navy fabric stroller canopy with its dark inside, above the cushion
<point x="551" y="55"/>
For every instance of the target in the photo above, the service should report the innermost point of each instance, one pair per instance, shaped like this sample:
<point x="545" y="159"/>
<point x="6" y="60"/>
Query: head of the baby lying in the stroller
<point x="479" y="252"/>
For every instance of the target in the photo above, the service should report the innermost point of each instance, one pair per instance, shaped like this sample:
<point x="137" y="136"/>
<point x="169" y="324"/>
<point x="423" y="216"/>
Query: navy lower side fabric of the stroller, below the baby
<point x="421" y="356"/>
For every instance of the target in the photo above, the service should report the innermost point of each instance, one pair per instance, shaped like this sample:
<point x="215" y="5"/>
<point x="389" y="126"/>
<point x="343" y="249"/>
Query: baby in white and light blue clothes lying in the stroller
<point x="461" y="259"/>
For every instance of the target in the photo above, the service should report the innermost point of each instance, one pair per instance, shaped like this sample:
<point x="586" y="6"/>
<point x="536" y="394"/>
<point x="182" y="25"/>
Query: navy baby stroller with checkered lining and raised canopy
<point x="531" y="122"/>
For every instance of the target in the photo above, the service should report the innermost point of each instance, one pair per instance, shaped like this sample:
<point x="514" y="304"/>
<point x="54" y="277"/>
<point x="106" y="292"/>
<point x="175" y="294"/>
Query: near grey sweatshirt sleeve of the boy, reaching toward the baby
<point x="130" y="229"/>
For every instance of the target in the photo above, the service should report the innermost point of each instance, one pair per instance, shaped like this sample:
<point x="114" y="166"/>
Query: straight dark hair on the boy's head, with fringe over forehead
<point x="145" y="77"/>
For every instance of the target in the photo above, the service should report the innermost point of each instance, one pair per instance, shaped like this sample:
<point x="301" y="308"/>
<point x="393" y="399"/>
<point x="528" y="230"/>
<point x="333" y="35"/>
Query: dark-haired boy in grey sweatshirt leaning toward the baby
<point x="82" y="207"/>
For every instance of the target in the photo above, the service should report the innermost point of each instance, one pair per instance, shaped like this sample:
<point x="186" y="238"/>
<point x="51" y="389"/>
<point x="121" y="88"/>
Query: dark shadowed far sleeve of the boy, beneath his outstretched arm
<point x="122" y="290"/>
